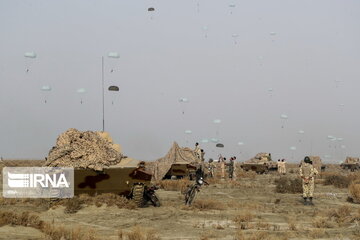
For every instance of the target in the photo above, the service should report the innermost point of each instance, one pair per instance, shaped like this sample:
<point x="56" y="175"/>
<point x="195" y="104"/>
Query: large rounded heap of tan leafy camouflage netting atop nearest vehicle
<point x="94" y="150"/>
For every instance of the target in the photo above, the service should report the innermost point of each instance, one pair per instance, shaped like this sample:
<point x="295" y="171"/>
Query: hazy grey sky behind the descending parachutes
<point x="307" y="51"/>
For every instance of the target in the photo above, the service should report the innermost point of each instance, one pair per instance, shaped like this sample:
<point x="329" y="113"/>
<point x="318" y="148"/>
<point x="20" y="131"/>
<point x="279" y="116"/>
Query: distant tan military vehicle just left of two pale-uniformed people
<point x="261" y="164"/>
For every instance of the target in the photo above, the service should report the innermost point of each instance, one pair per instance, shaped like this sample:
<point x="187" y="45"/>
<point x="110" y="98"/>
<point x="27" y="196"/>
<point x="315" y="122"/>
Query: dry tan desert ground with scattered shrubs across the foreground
<point x="250" y="207"/>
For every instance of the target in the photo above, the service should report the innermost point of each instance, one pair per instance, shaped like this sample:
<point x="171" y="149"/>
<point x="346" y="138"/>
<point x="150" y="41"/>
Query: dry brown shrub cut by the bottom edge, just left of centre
<point x="138" y="233"/>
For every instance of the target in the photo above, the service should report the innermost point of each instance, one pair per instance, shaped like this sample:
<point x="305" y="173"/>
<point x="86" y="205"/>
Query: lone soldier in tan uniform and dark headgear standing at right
<point x="307" y="173"/>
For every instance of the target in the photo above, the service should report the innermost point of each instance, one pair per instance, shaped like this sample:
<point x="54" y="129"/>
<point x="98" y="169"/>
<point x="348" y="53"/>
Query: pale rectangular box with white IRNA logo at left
<point x="38" y="182"/>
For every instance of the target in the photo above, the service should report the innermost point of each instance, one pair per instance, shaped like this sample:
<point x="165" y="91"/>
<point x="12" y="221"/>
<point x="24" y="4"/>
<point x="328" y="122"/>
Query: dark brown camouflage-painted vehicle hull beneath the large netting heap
<point x="127" y="178"/>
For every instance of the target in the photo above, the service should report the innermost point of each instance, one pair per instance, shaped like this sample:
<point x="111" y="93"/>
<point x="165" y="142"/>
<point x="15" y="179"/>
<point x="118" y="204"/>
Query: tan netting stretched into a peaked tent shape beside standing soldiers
<point x="176" y="154"/>
